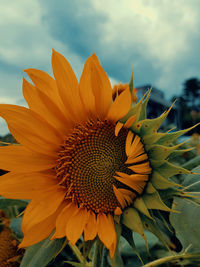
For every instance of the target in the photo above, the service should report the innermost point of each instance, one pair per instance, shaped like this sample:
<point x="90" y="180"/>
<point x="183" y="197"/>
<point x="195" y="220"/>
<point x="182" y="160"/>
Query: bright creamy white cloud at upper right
<point x="158" y="30"/>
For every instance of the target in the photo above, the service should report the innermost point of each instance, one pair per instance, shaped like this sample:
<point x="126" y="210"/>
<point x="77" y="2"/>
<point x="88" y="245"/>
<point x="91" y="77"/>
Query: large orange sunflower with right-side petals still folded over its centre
<point x="84" y="160"/>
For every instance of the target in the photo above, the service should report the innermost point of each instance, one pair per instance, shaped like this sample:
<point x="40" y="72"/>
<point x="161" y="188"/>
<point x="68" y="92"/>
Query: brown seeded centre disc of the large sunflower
<point x="88" y="162"/>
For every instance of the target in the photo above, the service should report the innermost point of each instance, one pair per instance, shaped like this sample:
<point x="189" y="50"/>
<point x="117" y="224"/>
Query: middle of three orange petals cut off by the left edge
<point x="19" y="159"/>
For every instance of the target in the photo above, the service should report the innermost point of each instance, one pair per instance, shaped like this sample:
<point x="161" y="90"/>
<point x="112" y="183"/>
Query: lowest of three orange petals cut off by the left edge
<point x="24" y="185"/>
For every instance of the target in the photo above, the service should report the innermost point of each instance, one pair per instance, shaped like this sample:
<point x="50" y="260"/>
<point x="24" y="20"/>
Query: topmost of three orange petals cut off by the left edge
<point x="29" y="130"/>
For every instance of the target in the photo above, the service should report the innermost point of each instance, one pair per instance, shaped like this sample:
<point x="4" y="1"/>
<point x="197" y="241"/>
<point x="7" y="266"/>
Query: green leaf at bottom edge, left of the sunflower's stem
<point x="42" y="253"/>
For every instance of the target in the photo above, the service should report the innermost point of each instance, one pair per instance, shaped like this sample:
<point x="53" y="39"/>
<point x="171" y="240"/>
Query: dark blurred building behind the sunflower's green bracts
<point x="157" y="105"/>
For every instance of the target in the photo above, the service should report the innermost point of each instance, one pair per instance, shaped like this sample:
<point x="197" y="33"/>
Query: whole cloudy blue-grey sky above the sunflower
<point x="159" y="37"/>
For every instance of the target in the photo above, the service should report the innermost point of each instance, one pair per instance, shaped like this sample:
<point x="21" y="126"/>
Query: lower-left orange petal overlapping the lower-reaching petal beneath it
<point x="41" y="207"/>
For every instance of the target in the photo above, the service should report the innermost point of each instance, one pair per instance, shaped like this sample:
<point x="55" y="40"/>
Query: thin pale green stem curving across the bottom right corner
<point x="172" y="258"/>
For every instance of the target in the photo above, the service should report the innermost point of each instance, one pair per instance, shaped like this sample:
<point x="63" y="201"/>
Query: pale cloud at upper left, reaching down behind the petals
<point x="25" y="43"/>
